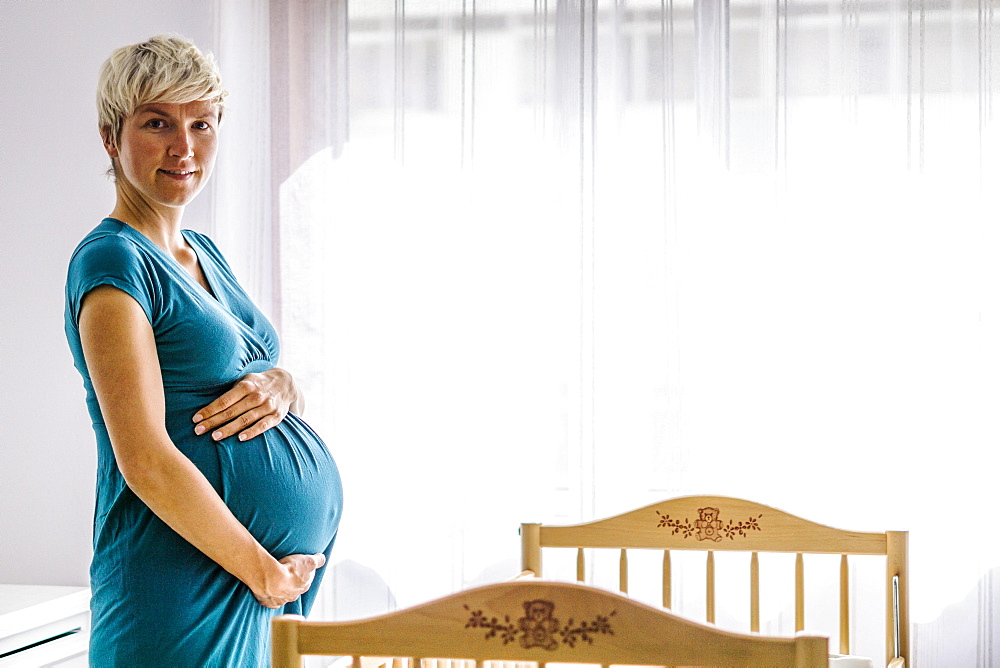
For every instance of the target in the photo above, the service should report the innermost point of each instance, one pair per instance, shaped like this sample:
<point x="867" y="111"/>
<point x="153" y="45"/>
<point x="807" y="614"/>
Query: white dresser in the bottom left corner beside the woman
<point x="44" y="625"/>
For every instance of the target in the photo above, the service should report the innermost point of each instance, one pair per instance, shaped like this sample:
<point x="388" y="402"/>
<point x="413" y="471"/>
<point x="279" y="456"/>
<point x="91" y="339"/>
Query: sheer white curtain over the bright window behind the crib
<point x="544" y="260"/>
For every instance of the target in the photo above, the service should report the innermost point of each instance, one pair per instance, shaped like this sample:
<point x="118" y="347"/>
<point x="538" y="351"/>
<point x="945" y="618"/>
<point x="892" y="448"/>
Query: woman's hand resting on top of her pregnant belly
<point x="256" y="403"/>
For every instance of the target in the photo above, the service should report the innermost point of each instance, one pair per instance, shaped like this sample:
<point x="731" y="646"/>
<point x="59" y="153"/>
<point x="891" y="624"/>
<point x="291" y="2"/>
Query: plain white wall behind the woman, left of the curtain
<point x="53" y="190"/>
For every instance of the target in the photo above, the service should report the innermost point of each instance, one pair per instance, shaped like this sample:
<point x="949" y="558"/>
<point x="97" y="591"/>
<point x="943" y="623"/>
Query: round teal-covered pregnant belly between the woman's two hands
<point x="283" y="485"/>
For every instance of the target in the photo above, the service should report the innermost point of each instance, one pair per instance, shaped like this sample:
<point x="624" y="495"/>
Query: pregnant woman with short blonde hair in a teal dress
<point x="217" y="505"/>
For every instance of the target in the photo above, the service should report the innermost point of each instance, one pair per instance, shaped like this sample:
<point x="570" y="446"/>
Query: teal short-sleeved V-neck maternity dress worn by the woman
<point x="156" y="600"/>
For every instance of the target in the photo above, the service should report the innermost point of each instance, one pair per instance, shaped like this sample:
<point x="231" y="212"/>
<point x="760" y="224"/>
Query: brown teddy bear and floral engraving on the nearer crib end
<point x="539" y="627"/>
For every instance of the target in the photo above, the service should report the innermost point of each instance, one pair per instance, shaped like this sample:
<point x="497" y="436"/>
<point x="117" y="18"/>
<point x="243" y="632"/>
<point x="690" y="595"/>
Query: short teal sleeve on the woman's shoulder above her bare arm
<point x="109" y="260"/>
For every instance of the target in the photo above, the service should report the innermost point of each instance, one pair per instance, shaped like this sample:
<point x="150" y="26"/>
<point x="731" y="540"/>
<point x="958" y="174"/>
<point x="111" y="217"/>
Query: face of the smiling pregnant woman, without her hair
<point x="166" y="151"/>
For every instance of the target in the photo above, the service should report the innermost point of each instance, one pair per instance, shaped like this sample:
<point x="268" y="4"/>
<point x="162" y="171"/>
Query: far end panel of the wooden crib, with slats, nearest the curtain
<point x="715" y="523"/>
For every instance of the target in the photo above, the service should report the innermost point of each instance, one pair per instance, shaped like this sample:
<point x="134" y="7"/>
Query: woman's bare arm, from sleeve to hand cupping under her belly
<point x="121" y="357"/>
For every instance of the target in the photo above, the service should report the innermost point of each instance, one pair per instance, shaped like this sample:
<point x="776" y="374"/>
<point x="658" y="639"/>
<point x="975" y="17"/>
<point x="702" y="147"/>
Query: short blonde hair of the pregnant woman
<point x="164" y="68"/>
